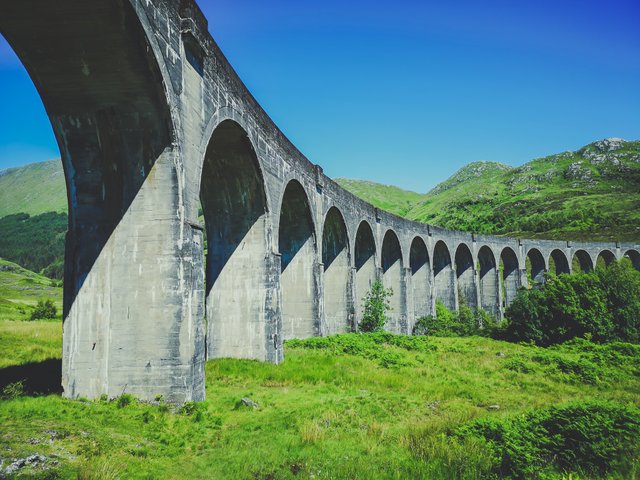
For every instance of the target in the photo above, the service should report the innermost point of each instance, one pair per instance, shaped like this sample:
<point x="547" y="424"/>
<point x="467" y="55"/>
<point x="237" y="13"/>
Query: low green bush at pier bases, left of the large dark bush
<point x="464" y="322"/>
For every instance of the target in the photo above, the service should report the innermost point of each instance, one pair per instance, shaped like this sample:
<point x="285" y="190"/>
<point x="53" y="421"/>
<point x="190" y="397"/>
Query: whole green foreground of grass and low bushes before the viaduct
<point x="362" y="406"/>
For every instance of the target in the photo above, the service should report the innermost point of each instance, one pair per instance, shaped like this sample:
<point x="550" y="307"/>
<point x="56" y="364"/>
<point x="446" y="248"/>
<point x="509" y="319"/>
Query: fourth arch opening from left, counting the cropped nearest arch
<point x="335" y="257"/>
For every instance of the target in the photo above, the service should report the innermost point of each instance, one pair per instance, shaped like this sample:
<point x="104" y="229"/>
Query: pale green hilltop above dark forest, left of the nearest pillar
<point x="33" y="189"/>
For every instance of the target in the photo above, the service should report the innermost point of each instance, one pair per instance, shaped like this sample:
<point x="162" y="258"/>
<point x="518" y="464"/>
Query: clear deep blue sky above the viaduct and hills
<point x="407" y="92"/>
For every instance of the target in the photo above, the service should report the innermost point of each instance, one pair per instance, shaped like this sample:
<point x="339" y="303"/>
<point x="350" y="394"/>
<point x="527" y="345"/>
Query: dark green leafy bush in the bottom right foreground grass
<point x="591" y="438"/>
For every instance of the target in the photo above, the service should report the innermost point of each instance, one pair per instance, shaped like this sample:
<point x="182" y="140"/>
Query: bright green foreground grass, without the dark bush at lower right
<point x="322" y="414"/>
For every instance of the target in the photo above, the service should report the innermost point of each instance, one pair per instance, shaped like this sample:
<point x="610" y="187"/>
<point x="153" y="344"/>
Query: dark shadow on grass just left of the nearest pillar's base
<point x="39" y="378"/>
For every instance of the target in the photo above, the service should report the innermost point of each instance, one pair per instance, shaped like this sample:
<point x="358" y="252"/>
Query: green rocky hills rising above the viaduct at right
<point x="593" y="193"/>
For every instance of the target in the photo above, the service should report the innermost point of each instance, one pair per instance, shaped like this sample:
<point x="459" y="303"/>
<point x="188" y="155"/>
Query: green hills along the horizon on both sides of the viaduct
<point x="590" y="194"/>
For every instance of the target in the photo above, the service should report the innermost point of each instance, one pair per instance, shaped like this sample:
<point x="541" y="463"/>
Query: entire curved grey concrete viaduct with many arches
<point x="152" y="121"/>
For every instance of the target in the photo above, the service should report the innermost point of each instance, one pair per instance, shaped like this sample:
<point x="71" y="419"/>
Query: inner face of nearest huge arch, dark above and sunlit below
<point x="100" y="79"/>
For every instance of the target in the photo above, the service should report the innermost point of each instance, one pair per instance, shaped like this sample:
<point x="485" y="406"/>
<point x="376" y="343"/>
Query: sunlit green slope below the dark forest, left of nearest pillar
<point x="20" y="290"/>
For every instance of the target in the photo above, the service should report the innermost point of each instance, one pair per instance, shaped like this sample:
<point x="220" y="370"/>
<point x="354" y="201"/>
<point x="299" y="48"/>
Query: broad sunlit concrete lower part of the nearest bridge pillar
<point x="133" y="317"/>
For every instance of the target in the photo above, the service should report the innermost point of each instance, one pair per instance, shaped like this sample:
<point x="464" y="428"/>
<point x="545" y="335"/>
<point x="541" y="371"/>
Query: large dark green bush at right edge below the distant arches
<point x="603" y="305"/>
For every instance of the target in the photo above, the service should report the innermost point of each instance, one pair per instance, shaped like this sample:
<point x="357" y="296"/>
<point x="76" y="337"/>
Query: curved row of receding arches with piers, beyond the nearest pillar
<point x="322" y="273"/>
